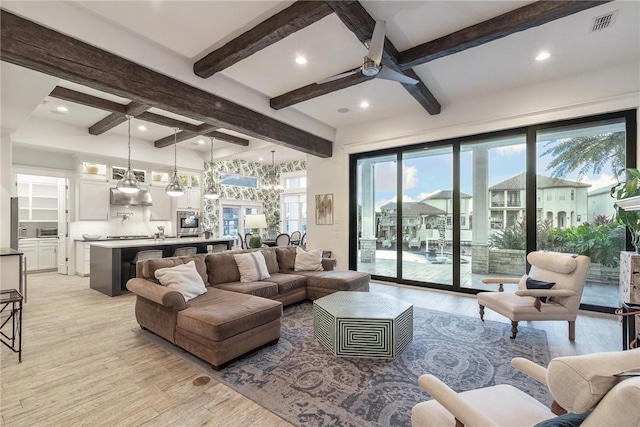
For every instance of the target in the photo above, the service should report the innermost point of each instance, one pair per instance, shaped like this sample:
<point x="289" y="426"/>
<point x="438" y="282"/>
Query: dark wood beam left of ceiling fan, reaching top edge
<point x="297" y="16"/>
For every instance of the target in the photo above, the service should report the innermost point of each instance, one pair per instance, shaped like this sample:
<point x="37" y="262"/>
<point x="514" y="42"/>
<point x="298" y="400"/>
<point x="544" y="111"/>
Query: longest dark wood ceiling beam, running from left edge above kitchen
<point x="27" y="44"/>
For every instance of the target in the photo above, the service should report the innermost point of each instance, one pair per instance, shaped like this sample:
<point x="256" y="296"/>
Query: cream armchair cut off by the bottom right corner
<point x="586" y="385"/>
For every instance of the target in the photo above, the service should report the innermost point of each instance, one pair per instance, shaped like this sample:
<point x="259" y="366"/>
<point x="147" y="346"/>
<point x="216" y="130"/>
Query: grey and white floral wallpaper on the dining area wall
<point x="270" y="198"/>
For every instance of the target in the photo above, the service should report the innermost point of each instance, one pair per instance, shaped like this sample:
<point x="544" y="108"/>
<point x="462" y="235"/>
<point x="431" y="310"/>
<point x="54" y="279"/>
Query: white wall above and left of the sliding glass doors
<point x="606" y="90"/>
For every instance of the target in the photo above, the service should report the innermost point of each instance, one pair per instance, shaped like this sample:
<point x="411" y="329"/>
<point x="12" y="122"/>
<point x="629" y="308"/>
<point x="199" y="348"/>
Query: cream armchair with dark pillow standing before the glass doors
<point x="563" y="274"/>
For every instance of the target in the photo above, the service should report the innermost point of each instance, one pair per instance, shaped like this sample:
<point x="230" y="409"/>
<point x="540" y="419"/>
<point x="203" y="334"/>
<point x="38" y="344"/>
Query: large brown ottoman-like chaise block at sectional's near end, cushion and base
<point x="226" y="325"/>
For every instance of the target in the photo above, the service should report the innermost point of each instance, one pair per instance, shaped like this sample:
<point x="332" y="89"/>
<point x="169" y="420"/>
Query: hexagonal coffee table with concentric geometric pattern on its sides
<point x="363" y="324"/>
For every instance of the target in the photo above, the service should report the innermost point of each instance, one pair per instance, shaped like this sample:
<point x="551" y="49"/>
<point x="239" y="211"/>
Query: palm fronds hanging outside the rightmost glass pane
<point x="588" y="153"/>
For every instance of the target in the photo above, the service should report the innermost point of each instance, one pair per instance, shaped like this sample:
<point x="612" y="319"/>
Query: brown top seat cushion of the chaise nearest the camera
<point x="225" y="314"/>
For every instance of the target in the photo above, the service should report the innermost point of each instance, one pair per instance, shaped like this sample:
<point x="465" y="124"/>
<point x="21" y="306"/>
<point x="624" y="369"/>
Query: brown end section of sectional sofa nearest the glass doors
<point x="328" y="282"/>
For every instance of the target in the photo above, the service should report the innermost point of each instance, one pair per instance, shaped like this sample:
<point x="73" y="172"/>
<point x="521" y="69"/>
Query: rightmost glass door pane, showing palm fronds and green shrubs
<point x="584" y="162"/>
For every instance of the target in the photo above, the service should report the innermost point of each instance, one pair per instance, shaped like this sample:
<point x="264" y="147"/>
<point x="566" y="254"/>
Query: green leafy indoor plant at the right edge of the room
<point x="629" y="215"/>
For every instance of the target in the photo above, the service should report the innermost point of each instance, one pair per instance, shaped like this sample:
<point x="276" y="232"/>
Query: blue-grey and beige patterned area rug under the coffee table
<point x="302" y="382"/>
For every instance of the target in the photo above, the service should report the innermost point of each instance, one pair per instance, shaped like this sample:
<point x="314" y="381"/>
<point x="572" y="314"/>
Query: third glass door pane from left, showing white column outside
<point x="492" y="188"/>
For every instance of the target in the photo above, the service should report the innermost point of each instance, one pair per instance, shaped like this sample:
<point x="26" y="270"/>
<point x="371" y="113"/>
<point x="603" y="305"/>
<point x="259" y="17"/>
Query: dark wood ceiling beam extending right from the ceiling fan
<point x="521" y="19"/>
